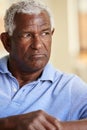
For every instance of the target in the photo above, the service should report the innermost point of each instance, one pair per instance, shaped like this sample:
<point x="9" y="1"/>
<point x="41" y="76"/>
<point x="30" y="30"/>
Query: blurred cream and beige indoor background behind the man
<point x="69" y="47"/>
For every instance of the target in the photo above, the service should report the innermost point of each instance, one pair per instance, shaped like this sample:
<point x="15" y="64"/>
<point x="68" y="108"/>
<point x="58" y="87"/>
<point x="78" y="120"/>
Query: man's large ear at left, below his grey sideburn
<point x="5" y="38"/>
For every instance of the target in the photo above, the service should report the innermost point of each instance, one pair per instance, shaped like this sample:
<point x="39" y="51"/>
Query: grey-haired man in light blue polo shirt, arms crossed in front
<point x="34" y="95"/>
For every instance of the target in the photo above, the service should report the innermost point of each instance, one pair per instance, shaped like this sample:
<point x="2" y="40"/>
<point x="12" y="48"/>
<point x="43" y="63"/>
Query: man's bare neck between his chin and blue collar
<point x="24" y="77"/>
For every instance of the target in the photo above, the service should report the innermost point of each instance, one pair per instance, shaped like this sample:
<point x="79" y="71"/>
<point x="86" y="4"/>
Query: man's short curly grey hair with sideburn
<point x="27" y="7"/>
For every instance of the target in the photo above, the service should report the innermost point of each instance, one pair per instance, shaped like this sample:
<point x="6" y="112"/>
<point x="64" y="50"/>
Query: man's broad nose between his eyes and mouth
<point x="36" y="42"/>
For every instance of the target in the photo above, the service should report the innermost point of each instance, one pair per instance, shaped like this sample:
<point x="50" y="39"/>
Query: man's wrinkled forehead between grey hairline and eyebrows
<point x="22" y="20"/>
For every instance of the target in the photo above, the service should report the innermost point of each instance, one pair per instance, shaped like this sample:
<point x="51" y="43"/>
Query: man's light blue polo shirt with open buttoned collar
<point x="62" y="95"/>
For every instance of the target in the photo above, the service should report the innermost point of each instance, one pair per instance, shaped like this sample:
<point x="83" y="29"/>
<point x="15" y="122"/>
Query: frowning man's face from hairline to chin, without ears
<point x="31" y="41"/>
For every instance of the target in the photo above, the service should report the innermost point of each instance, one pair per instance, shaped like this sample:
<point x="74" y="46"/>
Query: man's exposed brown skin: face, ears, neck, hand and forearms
<point x="29" y="51"/>
